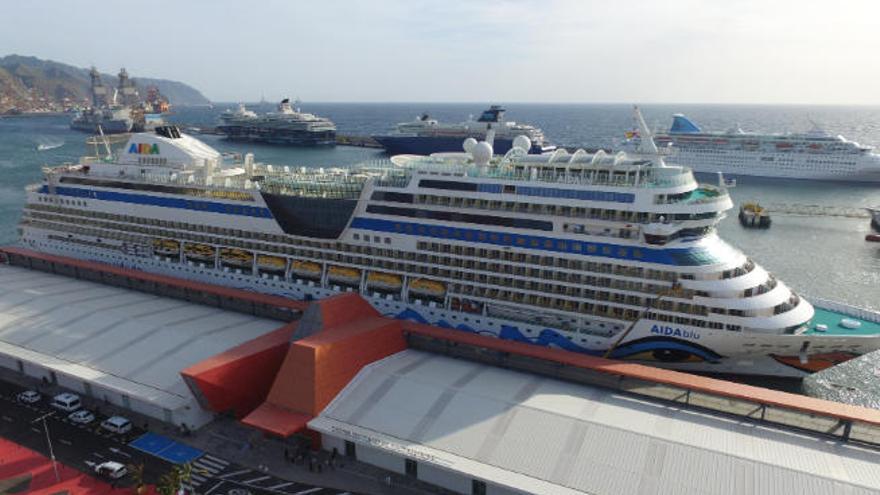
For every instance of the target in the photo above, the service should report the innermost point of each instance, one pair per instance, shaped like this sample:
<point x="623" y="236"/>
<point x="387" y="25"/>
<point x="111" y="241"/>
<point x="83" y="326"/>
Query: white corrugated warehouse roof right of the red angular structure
<point x="540" y="435"/>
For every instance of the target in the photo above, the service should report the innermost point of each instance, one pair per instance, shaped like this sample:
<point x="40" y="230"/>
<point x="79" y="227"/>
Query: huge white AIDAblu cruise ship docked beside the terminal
<point x="602" y="254"/>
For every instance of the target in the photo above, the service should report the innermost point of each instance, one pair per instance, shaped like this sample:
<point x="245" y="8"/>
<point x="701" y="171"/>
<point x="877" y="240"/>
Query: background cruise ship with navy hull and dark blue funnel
<point x="424" y="135"/>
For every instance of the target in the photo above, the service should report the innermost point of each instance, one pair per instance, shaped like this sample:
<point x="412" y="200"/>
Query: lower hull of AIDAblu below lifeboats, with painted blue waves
<point x="710" y="351"/>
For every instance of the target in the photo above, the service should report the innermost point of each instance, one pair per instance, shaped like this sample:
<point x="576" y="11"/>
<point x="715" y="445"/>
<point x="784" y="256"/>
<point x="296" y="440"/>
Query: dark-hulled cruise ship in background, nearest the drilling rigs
<point x="288" y="126"/>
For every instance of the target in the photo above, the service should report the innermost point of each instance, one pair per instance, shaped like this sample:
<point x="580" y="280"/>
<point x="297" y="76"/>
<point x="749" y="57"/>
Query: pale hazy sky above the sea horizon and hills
<point x="731" y="51"/>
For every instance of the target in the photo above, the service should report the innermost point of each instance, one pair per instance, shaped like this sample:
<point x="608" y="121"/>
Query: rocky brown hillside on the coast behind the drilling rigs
<point x="32" y="84"/>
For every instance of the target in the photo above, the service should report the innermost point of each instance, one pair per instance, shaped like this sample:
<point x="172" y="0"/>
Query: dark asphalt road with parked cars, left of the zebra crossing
<point x="78" y="446"/>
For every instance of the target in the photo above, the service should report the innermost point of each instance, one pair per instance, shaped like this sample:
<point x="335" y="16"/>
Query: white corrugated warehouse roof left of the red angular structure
<point x="128" y="341"/>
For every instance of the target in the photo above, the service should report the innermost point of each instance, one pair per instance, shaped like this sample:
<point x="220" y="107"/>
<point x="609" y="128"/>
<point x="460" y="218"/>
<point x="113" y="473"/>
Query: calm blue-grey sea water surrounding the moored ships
<point x="818" y="256"/>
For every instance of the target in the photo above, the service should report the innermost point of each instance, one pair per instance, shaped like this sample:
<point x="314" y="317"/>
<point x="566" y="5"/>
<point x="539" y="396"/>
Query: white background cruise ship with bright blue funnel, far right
<point x="812" y="155"/>
